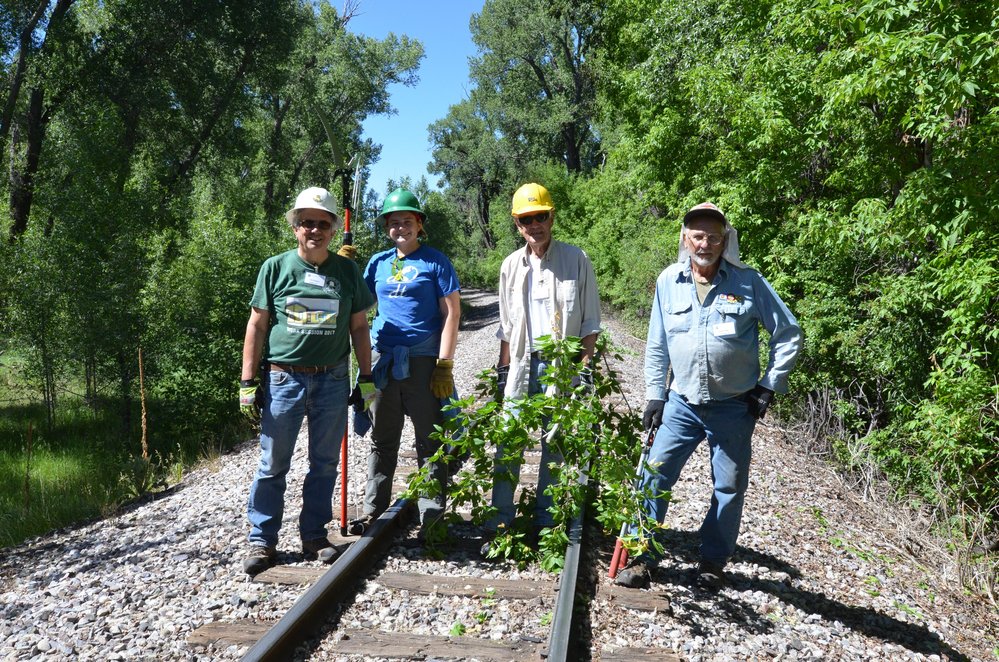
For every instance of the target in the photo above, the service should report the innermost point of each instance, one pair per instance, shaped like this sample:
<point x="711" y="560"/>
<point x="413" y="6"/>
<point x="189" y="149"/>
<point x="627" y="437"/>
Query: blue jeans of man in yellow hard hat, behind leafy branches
<point x="503" y="487"/>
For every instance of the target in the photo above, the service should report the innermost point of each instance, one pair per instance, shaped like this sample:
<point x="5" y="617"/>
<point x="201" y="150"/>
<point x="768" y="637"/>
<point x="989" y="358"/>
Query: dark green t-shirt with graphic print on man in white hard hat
<point x="310" y="307"/>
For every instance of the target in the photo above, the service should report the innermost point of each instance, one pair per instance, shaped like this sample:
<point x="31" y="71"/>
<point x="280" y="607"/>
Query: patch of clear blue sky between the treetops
<point x="442" y="27"/>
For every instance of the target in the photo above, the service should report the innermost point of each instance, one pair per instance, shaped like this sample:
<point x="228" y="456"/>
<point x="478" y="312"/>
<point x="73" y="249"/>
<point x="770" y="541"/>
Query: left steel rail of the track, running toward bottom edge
<point x="311" y="611"/>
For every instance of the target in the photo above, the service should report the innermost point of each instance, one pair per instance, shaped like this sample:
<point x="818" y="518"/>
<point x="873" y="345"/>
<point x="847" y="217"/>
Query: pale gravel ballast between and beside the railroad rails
<point x="819" y="574"/>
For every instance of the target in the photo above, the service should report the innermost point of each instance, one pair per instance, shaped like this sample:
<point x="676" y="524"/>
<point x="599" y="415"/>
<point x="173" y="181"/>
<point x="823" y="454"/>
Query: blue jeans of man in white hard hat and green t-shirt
<point x="291" y="397"/>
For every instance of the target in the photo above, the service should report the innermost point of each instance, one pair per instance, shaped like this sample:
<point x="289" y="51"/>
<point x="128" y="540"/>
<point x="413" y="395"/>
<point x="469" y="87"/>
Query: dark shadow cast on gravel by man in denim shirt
<point x="682" y="548"/>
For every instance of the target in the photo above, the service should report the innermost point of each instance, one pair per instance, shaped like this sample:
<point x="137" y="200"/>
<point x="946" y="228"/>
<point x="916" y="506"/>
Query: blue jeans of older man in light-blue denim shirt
<point x="728" y="427"/>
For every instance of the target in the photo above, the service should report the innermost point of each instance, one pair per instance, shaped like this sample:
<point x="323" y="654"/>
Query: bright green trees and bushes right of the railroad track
<point x="853" y="144"/>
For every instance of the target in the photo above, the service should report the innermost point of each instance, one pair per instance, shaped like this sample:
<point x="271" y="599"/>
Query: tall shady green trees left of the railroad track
<point x="153" y="148"/>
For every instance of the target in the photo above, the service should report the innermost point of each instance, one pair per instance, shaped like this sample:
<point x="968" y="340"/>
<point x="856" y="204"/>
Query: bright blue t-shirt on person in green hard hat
<point x="408" y="290"/>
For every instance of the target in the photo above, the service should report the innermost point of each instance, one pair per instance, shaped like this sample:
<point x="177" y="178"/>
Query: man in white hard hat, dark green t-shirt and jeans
<point x="307" y="308"/>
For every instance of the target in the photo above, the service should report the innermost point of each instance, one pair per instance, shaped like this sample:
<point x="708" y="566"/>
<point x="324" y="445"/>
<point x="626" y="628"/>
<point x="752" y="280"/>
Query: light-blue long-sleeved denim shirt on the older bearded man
<point x="713" y="347"/>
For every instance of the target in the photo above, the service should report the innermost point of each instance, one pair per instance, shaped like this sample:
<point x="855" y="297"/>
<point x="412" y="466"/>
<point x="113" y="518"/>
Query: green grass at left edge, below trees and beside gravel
<point x="86" y="466"/>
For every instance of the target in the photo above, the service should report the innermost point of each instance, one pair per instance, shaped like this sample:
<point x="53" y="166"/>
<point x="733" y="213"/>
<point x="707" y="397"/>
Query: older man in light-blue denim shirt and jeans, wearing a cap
<point x="704" y="332"/>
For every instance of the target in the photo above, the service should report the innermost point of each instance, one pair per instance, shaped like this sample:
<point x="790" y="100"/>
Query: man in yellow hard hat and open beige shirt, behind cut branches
<point x="547" y="288"/>
